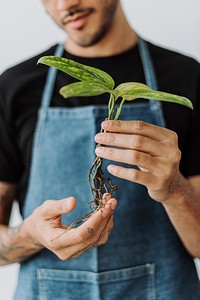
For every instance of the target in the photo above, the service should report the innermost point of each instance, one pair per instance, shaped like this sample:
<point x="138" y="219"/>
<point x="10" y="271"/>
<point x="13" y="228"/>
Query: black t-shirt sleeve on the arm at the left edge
<point x="10" y="160"/>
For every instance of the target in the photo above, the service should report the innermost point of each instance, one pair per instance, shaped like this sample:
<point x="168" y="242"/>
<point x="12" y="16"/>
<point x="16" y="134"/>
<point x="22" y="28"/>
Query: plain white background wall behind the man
<point x="26" y="29"/>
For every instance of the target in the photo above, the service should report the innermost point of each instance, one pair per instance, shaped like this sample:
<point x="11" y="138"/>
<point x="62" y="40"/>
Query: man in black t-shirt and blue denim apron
<point x="149" y="254"/>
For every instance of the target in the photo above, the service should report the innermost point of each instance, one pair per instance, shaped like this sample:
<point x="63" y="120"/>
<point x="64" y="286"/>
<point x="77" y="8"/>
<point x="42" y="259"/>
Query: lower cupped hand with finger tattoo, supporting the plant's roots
<point x="45" y="229"/>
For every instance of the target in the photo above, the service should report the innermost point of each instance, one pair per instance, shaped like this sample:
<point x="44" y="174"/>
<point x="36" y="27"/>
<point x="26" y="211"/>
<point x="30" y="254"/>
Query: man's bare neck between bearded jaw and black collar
<point x="118" y="39"/>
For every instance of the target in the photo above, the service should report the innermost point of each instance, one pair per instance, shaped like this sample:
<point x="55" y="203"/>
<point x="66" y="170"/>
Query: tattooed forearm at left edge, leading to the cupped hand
<point x="15" y="245"/>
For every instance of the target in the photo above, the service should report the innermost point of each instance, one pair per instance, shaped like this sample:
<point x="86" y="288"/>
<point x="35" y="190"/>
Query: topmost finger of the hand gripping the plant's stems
<point x="138" y="127"/>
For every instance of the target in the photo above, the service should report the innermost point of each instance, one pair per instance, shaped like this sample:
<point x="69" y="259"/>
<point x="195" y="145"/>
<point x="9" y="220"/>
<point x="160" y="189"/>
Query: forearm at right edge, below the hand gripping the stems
<point x="183" y="209"/>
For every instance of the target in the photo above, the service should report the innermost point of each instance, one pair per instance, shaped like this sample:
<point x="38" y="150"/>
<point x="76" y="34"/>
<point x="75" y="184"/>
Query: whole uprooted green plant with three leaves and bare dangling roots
<point x="94" y="82"/>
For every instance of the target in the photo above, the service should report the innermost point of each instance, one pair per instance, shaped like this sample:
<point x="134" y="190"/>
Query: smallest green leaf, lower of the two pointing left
<point x="82" y="89"/>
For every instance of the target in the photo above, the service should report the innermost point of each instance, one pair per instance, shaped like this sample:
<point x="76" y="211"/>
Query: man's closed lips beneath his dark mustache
<point x="76" y="14"/>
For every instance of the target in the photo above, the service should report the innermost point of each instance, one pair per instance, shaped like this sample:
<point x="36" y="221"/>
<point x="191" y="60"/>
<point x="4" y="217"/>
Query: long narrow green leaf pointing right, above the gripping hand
<point x="134" y="90"/>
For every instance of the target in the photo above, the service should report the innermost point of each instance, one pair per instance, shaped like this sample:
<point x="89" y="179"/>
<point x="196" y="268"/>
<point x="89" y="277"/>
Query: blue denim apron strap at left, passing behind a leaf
<point x="51" y="78"/>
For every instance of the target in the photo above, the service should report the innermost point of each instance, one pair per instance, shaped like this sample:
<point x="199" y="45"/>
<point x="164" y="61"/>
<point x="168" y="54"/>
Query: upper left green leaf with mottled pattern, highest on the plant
<point x="79" y="71"/>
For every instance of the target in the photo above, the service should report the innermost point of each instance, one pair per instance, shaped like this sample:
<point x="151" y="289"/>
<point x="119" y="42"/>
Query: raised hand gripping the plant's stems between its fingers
<point x="154" y="150"/>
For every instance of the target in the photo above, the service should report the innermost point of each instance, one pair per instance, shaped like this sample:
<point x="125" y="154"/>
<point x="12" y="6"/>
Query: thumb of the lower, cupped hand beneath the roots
<point x="53" y="208"/>
